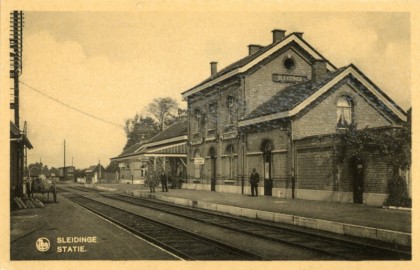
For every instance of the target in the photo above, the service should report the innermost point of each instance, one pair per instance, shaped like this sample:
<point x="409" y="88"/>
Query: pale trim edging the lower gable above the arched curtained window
<point x="319" y="92"/>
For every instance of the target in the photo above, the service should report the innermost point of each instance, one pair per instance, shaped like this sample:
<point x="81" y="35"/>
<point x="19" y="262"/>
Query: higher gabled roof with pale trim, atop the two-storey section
<point x="249" y="61"/>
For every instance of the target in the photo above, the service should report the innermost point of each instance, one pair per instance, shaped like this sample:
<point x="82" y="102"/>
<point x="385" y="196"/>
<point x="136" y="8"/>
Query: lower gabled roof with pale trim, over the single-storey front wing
<point x="293" y="99"/>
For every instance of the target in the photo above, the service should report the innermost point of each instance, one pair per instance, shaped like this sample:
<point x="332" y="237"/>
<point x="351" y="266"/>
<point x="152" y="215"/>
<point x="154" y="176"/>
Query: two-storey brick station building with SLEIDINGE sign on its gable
<point x="280" y="110"/>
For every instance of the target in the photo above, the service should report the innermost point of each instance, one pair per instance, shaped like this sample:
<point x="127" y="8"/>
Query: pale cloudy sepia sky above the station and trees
<point x="113" y="64"/>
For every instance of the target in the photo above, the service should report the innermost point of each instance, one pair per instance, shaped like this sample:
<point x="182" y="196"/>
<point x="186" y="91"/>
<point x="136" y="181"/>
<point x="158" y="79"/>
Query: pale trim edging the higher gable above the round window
<point x="266" y="54"/>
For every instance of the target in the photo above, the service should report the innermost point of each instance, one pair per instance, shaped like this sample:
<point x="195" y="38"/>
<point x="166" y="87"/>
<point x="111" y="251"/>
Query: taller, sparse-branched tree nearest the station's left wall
<point x="164" y="110"/>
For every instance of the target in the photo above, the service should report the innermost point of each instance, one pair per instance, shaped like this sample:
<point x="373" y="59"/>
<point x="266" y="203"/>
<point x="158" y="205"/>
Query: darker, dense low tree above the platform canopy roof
<point x="139" y="129"/>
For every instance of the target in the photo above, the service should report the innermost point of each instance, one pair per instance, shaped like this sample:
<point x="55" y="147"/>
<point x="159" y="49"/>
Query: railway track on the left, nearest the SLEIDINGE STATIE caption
<point x="184" y="244"/>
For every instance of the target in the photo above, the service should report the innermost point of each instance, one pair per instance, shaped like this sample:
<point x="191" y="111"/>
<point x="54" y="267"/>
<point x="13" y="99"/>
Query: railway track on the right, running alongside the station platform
<point x="339" y="248"/>
